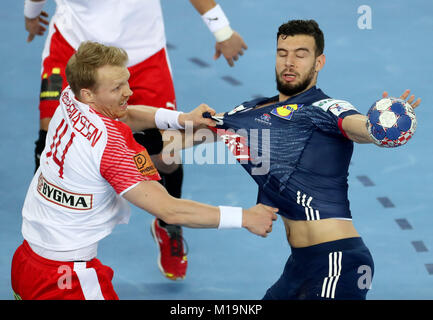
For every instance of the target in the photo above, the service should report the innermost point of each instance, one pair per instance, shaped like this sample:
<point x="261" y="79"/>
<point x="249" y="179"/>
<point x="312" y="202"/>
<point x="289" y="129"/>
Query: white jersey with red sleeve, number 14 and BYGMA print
<point x="88" y="163"/>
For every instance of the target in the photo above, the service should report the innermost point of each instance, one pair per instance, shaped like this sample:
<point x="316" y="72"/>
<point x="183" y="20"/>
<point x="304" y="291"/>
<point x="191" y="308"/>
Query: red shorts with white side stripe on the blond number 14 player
<point x="36" y="278"/>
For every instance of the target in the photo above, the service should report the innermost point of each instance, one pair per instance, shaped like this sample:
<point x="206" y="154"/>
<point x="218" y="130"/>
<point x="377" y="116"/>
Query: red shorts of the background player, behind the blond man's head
<point x="150" y="80"/>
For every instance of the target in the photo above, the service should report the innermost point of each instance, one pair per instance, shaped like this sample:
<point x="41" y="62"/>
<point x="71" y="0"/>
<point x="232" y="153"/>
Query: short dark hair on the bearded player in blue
<point x="305" y="27"/>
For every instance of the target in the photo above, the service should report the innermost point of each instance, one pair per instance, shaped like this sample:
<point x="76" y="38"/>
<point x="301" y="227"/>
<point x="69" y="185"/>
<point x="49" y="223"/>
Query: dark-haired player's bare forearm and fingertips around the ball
<point x="355" y="126"/>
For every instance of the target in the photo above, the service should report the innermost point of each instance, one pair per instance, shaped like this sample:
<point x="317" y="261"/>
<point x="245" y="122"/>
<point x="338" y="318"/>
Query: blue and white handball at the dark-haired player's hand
<point x="391" y="122"/>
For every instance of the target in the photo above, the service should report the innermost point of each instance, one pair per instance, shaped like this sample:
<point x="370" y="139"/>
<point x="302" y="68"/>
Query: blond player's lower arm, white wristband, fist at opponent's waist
<point x="152" y="197"/>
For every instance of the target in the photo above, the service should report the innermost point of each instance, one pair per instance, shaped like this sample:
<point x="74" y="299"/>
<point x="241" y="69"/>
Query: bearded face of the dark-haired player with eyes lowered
<point x="296" y="65"/>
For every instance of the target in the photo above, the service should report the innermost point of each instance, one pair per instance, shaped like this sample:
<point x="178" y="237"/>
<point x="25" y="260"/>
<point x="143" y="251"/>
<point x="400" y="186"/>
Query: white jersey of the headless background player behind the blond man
<point x="134" y="25"/>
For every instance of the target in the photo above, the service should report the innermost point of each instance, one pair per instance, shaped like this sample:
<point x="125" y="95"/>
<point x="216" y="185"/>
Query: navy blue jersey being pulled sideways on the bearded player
<point x="298" y="153"/>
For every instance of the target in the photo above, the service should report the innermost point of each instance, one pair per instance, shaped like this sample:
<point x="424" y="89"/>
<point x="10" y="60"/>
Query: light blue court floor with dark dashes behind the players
<point x="391" y="191"/>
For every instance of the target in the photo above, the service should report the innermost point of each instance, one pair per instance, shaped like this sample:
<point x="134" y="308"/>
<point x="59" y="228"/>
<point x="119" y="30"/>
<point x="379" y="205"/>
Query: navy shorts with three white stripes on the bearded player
<point x="341" y="269"/>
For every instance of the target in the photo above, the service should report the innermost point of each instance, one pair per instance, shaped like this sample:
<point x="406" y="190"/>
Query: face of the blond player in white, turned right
<point x="112" y="91"/>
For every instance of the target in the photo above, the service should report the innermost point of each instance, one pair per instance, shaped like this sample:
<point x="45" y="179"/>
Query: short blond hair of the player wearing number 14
<point x="90" y="56"/>
